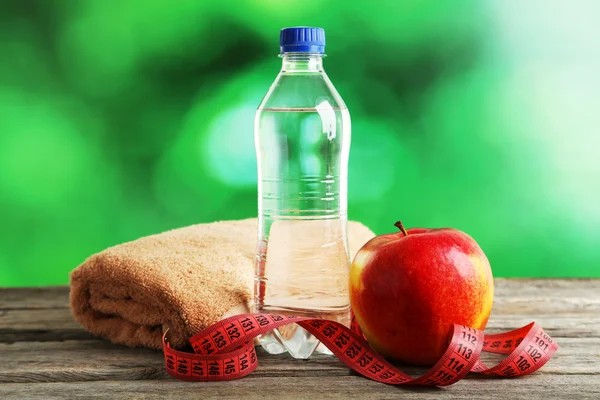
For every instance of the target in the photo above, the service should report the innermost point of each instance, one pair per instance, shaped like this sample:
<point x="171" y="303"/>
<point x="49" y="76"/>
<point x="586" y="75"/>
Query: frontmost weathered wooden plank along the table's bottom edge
<point x="330" y="387"/>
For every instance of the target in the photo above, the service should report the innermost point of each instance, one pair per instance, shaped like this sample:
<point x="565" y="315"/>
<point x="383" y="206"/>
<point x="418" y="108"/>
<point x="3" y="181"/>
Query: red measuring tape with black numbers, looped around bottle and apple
<point x="225" y="351"/>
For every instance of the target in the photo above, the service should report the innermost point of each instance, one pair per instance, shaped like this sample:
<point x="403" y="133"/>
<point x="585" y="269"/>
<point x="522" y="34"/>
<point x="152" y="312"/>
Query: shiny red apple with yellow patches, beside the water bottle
<point x="408" y="288"/>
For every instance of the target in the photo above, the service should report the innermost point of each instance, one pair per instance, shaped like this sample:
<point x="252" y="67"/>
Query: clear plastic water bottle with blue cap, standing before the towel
<point x="302" y="138"/>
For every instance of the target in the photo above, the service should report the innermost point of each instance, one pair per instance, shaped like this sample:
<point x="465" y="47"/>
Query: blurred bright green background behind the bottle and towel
<point x="123" y="118"/>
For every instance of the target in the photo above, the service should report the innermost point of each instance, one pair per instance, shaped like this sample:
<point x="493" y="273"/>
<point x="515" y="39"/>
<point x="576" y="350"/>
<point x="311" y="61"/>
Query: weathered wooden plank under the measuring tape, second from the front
<point x="72" y="361"/>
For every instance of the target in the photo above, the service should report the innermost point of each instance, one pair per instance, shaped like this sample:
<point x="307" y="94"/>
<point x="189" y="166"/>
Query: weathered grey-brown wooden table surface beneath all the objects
<point x="45" y="354"/>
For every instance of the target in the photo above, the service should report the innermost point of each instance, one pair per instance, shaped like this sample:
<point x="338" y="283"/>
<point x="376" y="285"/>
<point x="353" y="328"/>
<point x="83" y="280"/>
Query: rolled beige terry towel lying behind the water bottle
<point x="185" y="279"/>
